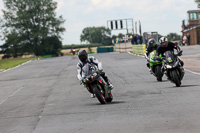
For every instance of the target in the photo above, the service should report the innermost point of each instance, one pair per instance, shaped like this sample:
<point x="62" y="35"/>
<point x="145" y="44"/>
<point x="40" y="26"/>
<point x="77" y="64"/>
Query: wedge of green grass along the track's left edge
<point x="9" y="63"/>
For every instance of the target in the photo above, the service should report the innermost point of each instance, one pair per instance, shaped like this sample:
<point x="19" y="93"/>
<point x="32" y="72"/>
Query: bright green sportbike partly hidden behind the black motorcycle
<point x="155" y="66"/>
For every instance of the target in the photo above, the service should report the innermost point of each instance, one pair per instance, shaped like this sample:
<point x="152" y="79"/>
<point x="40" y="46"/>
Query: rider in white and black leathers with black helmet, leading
<point x="83" y="57"/>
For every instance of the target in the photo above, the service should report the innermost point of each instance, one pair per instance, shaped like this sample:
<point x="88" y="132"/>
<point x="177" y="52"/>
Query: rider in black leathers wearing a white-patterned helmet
<point x="166" y="45"/>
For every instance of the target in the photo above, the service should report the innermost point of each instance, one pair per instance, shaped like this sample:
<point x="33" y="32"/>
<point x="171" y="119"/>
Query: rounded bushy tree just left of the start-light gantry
<point x="96" y="35"/>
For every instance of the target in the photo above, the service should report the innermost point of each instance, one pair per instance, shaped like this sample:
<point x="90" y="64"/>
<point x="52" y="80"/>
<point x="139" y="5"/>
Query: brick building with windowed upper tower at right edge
<point x="192" y="27"/>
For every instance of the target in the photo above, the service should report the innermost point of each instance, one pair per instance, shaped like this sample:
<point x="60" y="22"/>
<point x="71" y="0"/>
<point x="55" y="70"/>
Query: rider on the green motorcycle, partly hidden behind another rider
<point x="151" y="46"/>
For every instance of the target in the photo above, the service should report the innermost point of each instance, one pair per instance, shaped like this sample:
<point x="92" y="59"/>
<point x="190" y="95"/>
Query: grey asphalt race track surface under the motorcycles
<point x="44" y="96"/>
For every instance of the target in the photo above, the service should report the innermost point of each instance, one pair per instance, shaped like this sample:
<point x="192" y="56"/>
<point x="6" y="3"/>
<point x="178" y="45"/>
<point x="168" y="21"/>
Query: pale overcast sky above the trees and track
<point x="163" y="16"/>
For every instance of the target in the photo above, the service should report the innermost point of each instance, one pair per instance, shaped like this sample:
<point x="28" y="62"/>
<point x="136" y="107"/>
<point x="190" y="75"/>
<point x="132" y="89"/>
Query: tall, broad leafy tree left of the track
<point x="31" y="22"/>
